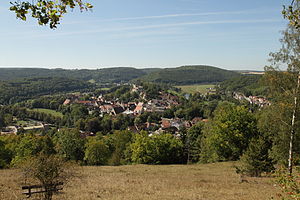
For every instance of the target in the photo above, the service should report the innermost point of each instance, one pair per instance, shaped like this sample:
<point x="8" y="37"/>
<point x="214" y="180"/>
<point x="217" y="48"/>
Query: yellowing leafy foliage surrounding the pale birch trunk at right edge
<point x="282" y="78"/>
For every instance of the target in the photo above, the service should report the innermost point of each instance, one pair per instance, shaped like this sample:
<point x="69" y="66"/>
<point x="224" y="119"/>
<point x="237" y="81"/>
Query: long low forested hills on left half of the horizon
<point x="116" y="75"/>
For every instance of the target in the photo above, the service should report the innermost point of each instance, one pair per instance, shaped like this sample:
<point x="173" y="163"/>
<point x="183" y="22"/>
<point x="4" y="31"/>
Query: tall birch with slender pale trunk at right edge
<point x="283" y="78"/>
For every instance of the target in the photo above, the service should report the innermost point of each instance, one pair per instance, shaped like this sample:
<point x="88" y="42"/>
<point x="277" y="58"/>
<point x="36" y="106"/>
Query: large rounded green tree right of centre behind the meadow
<point x="228" y="134"/>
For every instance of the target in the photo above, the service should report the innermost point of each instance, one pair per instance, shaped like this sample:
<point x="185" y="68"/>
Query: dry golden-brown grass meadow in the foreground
<point x="167" y="182"/>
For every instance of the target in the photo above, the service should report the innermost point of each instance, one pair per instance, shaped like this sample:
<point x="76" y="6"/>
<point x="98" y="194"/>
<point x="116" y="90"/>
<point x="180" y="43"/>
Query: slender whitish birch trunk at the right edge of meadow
<point x="290" y="160"/>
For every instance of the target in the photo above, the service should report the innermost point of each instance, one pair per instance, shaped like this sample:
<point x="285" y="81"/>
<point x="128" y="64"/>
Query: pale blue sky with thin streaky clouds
<point x="230" y="34"/>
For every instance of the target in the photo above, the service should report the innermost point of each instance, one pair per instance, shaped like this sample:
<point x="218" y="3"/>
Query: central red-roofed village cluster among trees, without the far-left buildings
<point x="134" y="109"/>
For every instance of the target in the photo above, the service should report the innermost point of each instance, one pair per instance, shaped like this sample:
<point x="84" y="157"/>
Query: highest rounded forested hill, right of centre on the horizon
<point x="190" y="75"/>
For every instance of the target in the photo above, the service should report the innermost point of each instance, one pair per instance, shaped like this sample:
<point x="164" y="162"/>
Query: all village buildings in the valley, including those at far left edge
<point x="114" y="107"/>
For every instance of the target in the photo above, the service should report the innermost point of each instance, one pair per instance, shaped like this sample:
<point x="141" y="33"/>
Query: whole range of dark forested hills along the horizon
<point x="181" y="75"/>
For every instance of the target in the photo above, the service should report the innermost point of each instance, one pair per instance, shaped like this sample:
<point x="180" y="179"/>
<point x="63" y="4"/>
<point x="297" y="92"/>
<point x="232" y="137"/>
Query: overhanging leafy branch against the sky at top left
<point x="47" y="12"/>
